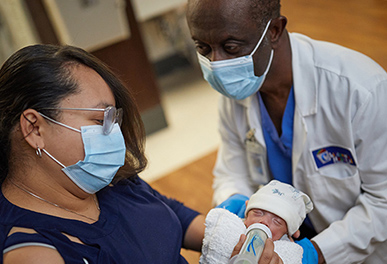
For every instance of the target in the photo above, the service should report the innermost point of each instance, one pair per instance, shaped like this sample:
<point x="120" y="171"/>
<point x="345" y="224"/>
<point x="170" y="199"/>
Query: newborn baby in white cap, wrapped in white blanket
<point x="277" y="205"/>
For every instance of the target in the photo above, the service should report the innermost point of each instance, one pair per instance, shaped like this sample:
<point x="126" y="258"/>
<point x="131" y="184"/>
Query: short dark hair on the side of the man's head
<point x="264" y="10"/>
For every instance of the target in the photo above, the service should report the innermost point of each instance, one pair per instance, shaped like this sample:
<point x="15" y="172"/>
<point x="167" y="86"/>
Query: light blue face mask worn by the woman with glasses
<point x="104" y="155"/>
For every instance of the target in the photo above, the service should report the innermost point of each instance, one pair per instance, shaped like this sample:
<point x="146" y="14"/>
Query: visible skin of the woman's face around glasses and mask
<point x="64" y="144"/>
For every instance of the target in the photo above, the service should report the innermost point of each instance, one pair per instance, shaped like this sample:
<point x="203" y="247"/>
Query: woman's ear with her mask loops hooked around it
<point x="31" y="127"/>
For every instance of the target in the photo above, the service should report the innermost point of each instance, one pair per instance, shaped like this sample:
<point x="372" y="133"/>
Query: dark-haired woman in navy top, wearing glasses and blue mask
<point x="71" y="146"/>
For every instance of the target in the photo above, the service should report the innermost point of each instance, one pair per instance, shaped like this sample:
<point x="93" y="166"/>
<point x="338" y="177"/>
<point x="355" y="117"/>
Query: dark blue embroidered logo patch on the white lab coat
<point x="331" y="155"/>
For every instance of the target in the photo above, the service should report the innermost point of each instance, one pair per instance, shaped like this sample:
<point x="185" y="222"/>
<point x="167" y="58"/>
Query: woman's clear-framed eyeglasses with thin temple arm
<point x="111" y="116"/>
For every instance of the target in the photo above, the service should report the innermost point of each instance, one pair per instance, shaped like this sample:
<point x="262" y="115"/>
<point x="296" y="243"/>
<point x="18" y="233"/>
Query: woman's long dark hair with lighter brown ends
<point x="39" y="76"/>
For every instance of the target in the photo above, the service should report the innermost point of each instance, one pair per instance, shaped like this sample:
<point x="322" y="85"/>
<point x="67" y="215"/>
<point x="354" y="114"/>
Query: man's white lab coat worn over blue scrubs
<point x="341" y="101"/>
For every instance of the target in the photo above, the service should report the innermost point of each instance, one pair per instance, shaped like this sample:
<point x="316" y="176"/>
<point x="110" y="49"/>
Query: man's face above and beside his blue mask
<point x="223" y="29"/>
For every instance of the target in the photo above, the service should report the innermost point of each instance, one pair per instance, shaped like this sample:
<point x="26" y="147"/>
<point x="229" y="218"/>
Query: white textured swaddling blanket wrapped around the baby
<point x="222" y="233"/>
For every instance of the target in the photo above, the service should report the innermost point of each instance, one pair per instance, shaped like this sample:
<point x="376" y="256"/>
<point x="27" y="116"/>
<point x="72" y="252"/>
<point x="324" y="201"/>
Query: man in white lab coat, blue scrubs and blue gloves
<point x="304" y="112"/>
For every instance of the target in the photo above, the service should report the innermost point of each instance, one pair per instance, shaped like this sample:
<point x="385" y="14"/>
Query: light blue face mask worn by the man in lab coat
<point x="235" y="78"/>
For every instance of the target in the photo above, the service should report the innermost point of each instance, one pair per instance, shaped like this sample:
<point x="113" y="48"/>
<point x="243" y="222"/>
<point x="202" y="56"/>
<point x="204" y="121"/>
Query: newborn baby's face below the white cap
<point x="275" y="223"/>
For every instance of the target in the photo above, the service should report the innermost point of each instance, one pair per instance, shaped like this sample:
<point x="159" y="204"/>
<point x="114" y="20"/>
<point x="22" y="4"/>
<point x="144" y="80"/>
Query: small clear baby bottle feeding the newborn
<point x="251" y="251"/>
